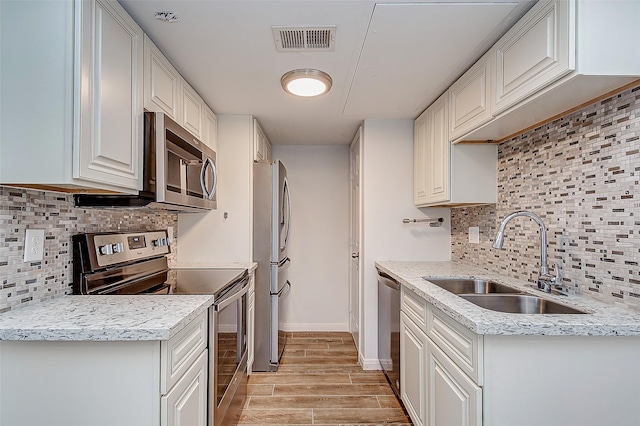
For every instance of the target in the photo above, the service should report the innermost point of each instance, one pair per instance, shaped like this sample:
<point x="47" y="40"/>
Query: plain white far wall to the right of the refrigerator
<point x="319" y="248"/>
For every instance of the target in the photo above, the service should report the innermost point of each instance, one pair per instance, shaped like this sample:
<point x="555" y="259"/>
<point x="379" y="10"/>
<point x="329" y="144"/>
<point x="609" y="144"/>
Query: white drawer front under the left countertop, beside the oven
<point x="178" y="353"/>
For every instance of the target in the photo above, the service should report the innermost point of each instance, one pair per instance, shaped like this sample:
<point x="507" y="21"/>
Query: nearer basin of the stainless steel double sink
<point x="519" y="304"/>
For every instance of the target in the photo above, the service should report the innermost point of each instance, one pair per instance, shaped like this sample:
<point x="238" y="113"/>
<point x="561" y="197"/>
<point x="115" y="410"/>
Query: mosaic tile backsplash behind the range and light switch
<point x="32" y="282"/>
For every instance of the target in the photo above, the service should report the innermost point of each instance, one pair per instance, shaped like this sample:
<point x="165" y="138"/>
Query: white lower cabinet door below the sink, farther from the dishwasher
<point x="453" y="398"/>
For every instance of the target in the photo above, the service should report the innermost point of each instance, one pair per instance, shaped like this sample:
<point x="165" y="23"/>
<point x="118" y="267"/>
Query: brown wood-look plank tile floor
<point x="320" y="382"/>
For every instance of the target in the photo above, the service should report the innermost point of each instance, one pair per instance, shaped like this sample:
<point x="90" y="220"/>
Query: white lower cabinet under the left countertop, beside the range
<point x="107" y="383"/>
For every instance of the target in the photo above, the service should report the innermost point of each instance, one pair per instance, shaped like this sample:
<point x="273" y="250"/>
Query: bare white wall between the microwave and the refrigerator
<point x="209" y="237"/>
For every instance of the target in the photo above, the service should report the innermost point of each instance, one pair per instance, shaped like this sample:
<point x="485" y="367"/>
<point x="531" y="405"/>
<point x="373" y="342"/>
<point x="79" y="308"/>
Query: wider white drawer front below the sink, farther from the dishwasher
<point x="461" y="345"/>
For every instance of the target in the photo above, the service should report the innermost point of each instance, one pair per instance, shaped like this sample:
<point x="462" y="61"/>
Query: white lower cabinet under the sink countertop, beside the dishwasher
<point x="451" y="376"/>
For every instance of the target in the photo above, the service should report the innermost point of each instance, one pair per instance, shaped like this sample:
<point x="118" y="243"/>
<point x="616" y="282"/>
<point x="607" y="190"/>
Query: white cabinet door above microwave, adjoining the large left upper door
<point x="162" y="83"/>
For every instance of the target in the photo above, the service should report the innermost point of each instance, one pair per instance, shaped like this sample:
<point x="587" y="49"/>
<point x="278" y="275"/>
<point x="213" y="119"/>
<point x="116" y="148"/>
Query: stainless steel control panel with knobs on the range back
<point x="111" y="249"/>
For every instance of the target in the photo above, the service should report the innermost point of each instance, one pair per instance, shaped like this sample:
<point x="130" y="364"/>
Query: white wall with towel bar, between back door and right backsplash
<point x="387" y="199"/>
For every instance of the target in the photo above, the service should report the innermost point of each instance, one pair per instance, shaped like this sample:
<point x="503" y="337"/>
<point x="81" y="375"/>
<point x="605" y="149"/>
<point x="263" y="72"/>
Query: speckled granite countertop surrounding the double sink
<point x="601" y="320"/>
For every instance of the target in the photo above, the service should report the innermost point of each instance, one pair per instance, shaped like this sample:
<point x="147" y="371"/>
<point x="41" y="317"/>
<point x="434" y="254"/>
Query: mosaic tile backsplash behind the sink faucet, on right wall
<point x="580" y="174"/>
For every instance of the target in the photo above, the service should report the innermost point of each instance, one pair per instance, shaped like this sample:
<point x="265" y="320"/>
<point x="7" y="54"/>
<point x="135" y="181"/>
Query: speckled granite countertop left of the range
<point x="104" y="318"/>
